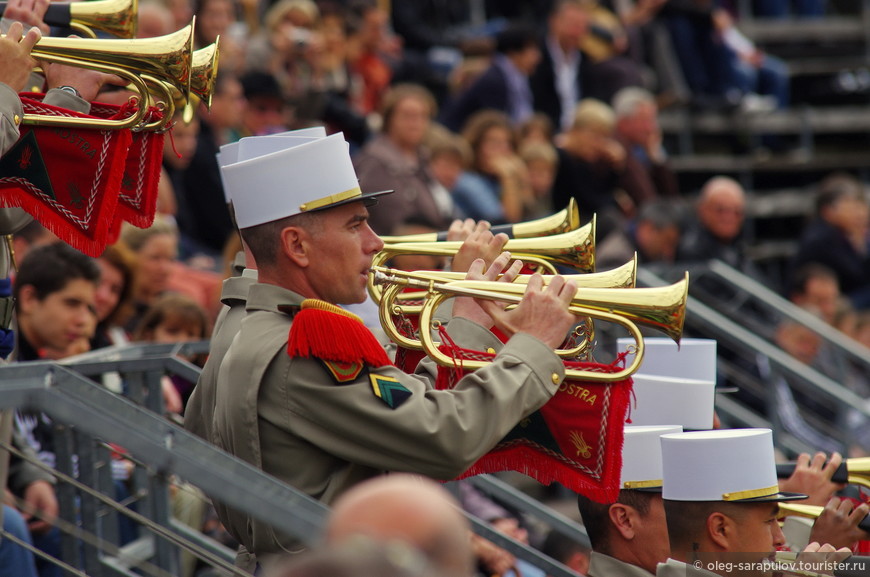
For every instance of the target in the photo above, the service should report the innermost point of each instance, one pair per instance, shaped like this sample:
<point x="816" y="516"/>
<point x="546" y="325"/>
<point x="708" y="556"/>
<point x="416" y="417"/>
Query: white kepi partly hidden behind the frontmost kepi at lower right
<point x="642" y="456"/>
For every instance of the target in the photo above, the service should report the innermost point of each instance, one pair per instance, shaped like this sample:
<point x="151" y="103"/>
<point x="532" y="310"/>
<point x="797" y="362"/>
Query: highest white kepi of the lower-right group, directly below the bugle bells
<point x="692" y="359"/>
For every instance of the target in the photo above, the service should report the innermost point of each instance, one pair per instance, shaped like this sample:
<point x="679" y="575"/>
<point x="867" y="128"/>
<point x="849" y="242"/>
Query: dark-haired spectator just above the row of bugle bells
<point x="653" y="235"/>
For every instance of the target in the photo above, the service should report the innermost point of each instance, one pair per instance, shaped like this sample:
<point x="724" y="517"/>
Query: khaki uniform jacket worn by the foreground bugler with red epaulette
<point x="291" y="418"/>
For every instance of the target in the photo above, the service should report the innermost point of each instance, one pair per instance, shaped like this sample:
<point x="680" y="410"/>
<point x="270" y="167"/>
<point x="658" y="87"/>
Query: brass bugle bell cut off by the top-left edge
<point x="116" y="17"/>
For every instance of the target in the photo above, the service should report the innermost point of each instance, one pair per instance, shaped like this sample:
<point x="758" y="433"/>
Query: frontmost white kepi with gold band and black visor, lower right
<point x="721" y="465"/>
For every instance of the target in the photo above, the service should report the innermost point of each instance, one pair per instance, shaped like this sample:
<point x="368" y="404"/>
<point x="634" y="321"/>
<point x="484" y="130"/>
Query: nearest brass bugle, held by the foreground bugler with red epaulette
<point x="662" y="308"/>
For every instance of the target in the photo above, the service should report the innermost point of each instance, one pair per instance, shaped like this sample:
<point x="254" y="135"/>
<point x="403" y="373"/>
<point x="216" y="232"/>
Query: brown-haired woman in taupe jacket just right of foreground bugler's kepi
<point x="396" y="160"/>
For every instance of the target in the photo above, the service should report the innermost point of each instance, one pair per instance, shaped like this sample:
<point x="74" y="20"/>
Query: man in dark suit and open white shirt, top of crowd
<point x="565" y="76"/>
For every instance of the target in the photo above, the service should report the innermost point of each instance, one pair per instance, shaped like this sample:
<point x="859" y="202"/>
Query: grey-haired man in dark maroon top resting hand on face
<point x="646" y="175"/>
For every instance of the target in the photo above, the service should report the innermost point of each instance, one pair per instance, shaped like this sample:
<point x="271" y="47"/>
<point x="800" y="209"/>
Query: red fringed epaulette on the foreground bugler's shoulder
<point x="329" y="332"/>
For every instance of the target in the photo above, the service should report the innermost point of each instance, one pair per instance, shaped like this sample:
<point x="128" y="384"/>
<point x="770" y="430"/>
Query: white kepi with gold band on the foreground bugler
<point x="313" y="175"/>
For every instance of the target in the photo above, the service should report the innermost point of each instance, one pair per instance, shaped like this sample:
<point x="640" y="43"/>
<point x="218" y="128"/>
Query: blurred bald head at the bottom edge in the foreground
<point x="406" y="508"/>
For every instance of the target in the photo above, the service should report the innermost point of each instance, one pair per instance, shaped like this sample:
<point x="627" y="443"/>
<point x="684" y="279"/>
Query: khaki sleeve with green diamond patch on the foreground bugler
<point x="410" y="426"/>
